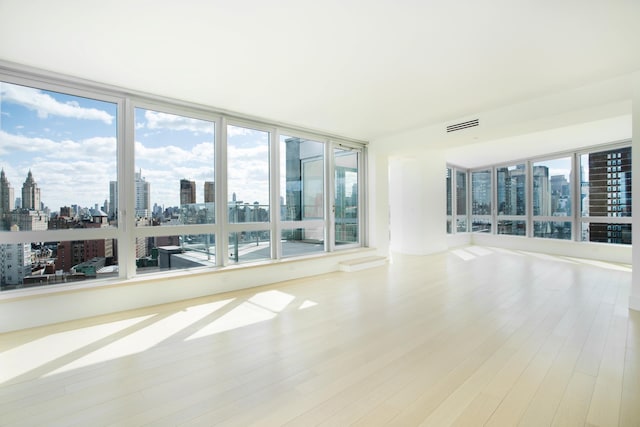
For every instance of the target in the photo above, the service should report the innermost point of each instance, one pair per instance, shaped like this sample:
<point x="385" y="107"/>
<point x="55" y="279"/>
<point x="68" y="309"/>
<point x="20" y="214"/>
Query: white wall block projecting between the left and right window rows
<point x="418" y="203"/>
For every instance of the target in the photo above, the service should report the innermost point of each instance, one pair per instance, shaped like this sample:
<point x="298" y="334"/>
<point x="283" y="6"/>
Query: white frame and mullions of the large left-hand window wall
<point x="125" y="233"/>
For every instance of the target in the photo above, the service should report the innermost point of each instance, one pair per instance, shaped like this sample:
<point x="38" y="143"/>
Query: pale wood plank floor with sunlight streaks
<point x="477" y="336"/>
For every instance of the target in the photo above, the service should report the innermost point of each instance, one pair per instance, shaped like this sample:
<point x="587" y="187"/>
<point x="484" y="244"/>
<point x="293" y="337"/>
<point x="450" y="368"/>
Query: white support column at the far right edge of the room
<point x="634" y="298"/>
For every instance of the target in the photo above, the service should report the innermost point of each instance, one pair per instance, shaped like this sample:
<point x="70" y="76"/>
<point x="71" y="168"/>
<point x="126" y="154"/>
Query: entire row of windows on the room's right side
<point x="551" y="198"/>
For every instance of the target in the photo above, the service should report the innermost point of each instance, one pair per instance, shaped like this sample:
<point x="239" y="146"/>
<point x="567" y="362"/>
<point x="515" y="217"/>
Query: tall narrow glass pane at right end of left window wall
<point x="346" y="193"/>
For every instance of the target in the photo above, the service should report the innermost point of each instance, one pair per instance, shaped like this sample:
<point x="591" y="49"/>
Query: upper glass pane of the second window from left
<point x="174" y="178"/>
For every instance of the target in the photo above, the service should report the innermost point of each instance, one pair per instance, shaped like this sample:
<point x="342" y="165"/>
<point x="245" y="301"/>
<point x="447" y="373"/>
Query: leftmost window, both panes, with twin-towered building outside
<point x="58" y="156"/>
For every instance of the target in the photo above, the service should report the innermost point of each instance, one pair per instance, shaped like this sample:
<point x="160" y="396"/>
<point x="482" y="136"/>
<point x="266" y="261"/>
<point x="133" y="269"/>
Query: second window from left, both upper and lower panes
<point x="173" y="190"/>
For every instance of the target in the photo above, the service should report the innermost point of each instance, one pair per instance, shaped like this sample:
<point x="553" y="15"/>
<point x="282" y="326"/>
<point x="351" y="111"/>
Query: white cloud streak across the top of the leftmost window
<point x="46" y="105"/>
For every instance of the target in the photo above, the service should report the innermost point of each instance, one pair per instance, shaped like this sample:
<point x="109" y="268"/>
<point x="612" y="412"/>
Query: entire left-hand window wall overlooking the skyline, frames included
<point x="100" y="184"/>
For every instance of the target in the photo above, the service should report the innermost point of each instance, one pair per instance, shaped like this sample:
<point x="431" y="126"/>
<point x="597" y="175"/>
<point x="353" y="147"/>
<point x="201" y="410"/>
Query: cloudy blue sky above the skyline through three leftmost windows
<point x="69" y="144"/>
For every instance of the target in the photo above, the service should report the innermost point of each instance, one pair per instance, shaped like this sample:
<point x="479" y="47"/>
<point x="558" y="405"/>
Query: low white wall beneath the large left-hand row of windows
<point x="19" y="310"/>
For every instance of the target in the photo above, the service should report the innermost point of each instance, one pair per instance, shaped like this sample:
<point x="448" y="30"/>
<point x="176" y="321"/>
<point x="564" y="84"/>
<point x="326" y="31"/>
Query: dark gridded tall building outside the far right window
<point x="610" y="194"/>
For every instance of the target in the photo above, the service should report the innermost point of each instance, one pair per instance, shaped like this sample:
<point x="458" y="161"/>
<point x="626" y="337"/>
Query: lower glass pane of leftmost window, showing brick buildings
<point x="25" y="265"/>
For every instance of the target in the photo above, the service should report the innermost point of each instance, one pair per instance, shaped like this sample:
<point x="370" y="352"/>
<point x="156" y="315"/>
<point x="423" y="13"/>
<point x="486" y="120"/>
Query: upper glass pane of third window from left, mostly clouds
<point x="247" y="174"/>
